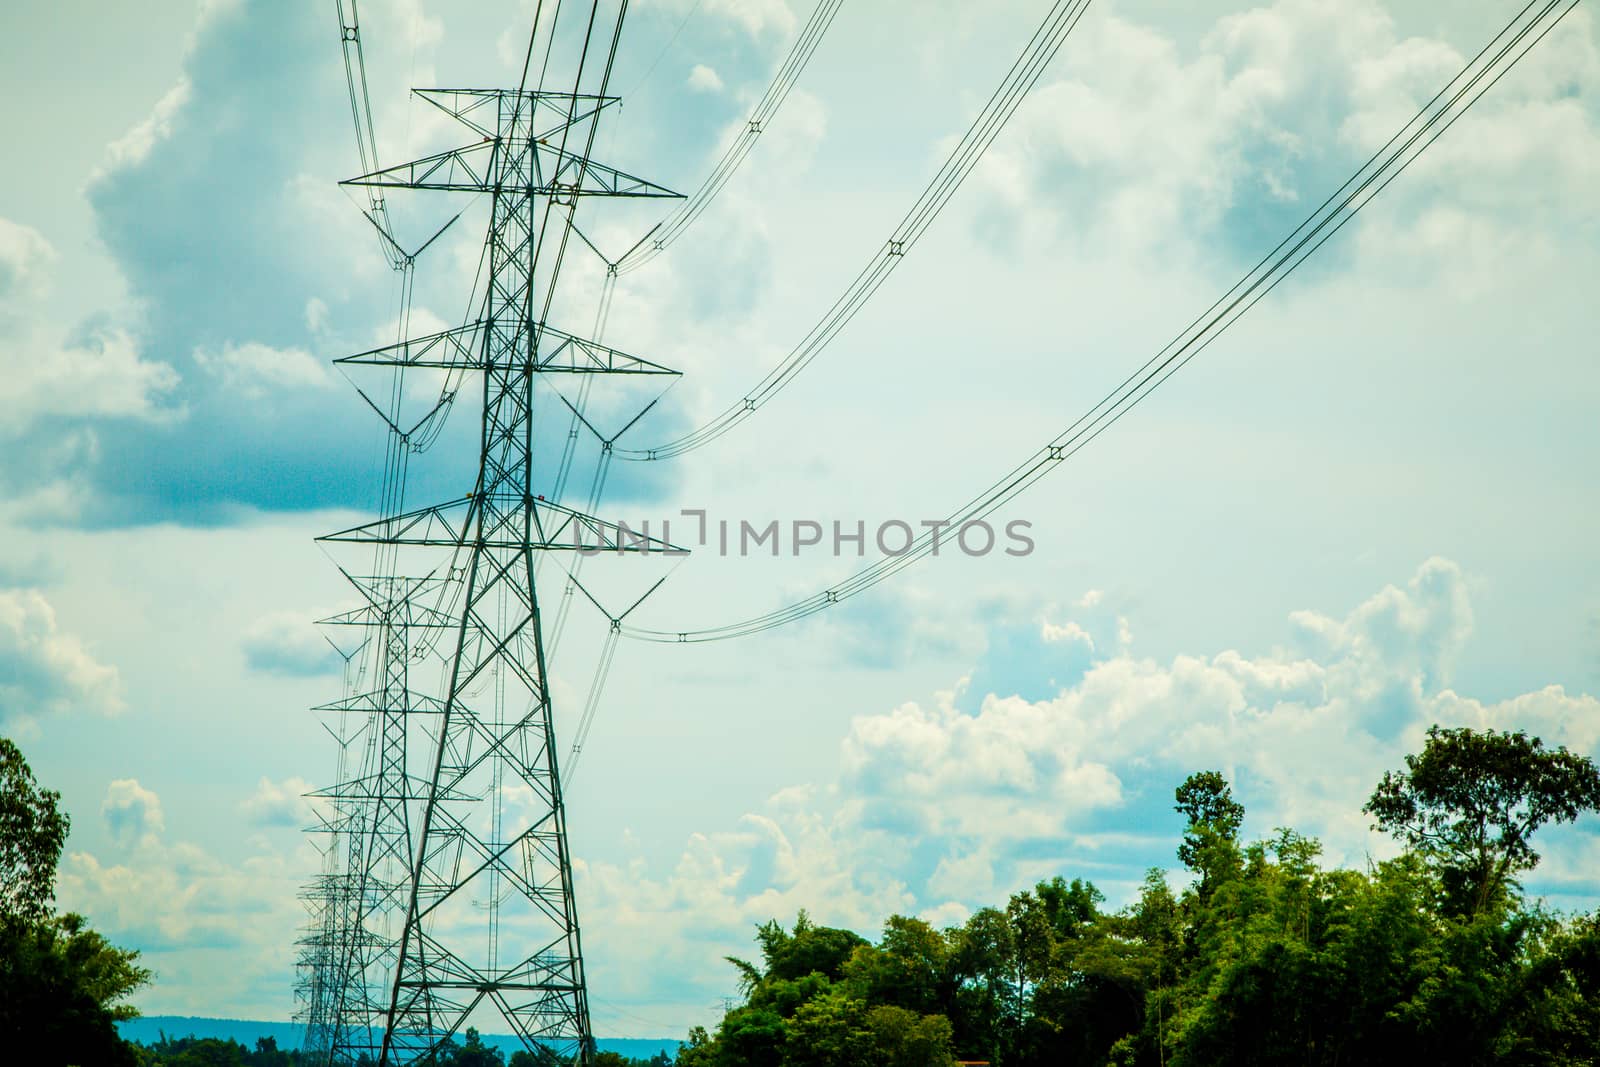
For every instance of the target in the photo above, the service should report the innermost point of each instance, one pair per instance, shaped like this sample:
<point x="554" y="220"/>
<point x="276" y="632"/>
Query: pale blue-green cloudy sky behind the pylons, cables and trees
<point x="1367" y="510"/>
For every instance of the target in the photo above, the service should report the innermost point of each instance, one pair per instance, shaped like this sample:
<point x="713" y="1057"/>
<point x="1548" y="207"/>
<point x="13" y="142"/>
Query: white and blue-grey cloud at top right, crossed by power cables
<point x="1140" y="145"/>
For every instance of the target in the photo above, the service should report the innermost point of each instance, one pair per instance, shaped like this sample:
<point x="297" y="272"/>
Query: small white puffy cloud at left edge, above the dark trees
<point x="46" y="671"/>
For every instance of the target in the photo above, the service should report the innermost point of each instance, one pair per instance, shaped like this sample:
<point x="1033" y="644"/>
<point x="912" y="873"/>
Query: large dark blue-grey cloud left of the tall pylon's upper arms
<point x="207" y="399"/>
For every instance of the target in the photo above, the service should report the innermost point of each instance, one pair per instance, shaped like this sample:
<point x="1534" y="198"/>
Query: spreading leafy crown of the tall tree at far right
<point x="1473" y="802"/>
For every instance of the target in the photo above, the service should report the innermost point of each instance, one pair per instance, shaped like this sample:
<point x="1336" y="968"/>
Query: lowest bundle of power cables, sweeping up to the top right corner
<point x="1447" y="108"/>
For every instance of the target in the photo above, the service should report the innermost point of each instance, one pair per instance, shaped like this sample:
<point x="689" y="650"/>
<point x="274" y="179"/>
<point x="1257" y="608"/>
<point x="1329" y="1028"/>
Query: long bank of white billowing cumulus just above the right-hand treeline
<point x="937" y="810"/>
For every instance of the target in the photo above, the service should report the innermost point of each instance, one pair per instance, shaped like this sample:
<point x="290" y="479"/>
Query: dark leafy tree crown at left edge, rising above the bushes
<point x="33" y="834"/>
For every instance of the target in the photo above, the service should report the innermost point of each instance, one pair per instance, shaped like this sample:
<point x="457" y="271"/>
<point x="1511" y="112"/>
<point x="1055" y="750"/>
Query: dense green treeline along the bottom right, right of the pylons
<point x="1265" y="957"/>
